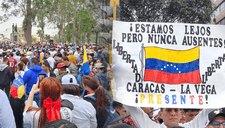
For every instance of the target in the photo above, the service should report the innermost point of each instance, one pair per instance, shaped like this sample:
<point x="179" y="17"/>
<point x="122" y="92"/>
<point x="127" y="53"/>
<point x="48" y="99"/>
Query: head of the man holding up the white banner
<point x="170" y="116"/>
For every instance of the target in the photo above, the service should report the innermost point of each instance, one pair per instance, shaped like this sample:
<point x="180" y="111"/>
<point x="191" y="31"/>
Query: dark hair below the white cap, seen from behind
<point x="71" y="89"/>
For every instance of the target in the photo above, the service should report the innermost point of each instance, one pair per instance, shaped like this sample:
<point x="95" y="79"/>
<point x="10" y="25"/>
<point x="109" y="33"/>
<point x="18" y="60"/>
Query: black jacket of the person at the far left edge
<point x="6" y="75"/>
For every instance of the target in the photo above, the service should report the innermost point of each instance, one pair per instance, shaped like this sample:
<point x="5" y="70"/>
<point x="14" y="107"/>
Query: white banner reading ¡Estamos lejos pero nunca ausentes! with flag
<point x="169" y="64"/>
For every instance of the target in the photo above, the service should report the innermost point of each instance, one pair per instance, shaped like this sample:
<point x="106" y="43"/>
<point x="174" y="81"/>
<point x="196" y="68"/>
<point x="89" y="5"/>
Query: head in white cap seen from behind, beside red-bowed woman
<point x="70" y="86"/>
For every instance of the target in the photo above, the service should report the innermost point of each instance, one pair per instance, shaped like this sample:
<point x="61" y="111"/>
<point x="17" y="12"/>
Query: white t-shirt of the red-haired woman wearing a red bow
<point x="31" y="121"/>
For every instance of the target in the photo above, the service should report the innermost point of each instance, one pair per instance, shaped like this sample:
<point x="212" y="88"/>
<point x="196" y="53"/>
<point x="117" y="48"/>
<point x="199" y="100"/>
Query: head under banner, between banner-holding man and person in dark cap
<point x="190" y="114"/>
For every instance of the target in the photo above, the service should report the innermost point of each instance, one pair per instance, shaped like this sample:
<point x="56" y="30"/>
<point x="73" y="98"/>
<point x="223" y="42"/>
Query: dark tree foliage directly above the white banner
<point x="185" y="11"/>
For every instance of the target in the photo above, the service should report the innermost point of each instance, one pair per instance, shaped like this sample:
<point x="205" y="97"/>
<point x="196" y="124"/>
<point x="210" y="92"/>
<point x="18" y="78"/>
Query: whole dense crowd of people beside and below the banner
<point x="75" y="92"/>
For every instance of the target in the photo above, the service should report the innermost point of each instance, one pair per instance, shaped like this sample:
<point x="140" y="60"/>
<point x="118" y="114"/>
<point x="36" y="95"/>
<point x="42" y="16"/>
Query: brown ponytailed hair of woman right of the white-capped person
<point x="93" y="83"/>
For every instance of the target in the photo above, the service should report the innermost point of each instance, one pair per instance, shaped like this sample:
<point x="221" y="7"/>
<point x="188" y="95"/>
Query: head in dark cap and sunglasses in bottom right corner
<point x="216" y="119"/>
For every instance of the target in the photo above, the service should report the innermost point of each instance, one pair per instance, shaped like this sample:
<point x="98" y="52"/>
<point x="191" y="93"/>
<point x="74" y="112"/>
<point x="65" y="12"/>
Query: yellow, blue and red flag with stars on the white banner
<point x="171" y="66"/>
